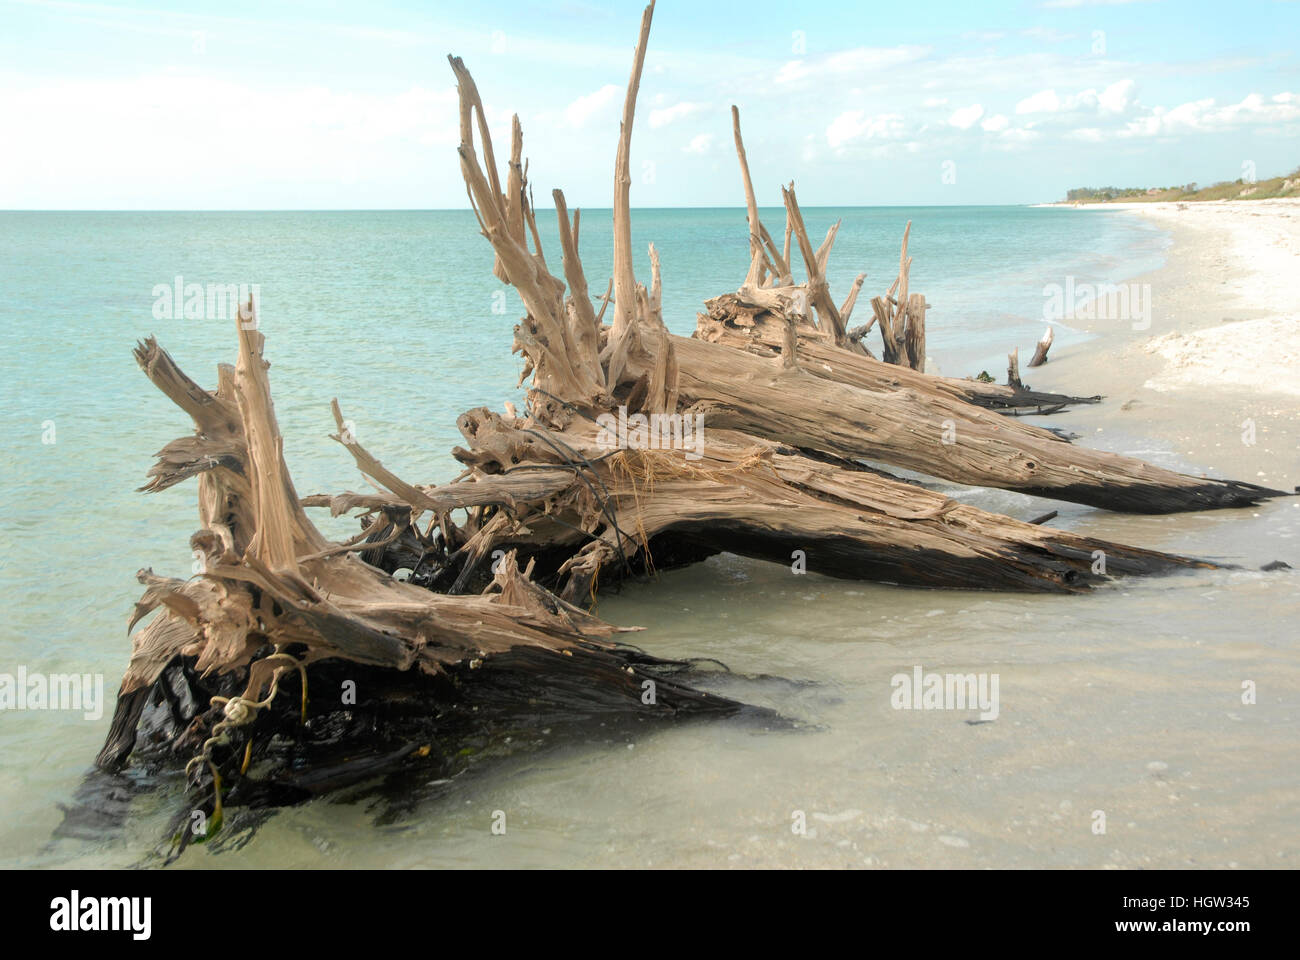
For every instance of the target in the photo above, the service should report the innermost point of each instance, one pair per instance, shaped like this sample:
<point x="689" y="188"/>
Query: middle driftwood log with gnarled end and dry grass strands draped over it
<point x="752" y="498"/>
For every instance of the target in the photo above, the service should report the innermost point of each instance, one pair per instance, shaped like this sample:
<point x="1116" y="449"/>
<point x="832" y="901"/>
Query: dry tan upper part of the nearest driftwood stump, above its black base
<point x="268" y="574"/>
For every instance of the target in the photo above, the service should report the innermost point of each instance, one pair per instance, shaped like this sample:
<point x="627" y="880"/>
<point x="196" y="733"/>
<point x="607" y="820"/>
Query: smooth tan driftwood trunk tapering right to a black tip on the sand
<point x="929" y="434"/>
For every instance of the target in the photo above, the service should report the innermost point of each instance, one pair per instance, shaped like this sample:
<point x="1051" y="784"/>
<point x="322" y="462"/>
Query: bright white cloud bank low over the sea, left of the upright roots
<point x="237" y="139"/>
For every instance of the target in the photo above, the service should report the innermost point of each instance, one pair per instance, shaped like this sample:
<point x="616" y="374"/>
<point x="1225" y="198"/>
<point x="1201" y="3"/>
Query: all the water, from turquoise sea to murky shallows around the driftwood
<point x="1128" y="702"/>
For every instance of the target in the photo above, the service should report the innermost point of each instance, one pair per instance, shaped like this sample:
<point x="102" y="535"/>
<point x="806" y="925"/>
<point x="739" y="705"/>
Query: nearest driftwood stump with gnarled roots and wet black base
<point x="275" y="603"/>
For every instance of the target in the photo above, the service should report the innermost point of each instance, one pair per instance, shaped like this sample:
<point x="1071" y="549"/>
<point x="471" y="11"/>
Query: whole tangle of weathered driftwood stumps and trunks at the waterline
<point x="638" y="451"/>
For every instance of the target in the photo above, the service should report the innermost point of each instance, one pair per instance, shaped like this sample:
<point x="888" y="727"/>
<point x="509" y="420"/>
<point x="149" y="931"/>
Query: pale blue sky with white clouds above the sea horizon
<point x="265" y="105"/>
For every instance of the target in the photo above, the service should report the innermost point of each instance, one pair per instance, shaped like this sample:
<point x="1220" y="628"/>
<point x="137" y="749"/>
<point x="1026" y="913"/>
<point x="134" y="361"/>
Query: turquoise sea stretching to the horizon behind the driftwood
<point x="397" y="315"/>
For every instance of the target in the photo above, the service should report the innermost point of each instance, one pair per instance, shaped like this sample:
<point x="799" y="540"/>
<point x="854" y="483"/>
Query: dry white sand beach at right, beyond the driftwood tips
<point x="1223" y="348"/>
